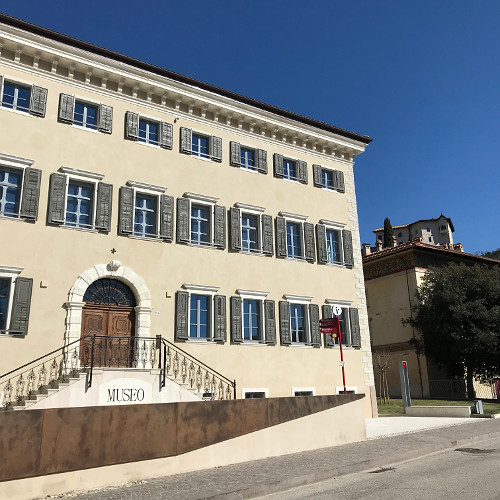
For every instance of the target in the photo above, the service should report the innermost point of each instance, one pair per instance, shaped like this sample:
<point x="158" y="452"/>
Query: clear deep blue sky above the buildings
<point x="422" y="78"/>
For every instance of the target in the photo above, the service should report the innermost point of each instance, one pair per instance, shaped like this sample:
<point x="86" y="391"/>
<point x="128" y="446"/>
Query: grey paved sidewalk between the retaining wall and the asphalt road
<point x="252" y="479"/>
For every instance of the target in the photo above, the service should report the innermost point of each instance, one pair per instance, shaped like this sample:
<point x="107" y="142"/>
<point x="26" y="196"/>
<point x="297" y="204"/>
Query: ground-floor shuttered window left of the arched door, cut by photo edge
<point x="15" y="299"/>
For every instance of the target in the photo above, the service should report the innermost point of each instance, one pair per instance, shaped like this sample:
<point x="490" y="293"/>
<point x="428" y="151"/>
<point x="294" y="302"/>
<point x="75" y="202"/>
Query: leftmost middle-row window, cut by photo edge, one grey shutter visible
<point x="19" y="187"/>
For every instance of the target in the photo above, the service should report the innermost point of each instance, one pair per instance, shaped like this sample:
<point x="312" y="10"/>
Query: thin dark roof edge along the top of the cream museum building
<point x="74" y="42"/>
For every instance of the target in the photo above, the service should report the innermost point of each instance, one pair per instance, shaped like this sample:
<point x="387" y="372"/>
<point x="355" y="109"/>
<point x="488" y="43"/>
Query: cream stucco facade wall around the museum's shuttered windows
<point x="56" y="256"/>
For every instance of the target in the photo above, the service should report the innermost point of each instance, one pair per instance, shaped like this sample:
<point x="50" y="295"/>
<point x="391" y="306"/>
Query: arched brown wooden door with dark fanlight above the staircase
<point x="108" y="314"/>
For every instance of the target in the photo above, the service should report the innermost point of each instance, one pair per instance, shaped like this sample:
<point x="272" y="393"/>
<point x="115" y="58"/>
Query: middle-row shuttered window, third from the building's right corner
<point x="251" y="230"/>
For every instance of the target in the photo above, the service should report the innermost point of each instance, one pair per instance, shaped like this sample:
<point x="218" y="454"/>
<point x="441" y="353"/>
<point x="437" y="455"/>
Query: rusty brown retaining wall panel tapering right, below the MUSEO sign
<point x="39" y="442"/>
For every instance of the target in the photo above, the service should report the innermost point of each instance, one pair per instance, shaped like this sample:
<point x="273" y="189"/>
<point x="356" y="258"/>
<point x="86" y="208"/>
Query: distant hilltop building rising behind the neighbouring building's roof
<point x="438" y="232"/>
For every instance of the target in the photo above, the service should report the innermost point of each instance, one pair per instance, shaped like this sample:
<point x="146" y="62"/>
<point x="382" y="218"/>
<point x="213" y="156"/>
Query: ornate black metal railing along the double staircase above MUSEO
<point x="98" y="351"/>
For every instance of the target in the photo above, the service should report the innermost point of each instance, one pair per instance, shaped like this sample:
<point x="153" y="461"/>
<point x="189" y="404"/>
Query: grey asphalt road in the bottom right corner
<point x="466" y="472"/>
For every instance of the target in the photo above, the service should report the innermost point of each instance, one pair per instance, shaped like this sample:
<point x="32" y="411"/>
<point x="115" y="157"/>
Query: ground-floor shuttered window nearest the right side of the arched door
<point x="200" y="314"/>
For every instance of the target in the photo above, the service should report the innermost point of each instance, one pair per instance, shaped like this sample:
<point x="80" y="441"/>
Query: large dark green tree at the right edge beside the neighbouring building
<point x="458" y="317"/>
